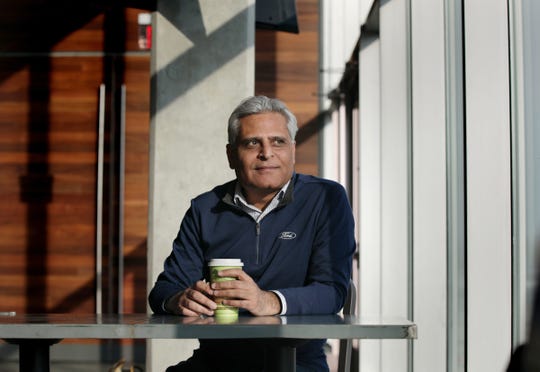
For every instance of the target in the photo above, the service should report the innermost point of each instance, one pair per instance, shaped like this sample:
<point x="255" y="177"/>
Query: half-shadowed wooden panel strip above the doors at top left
<point x="66" y="26"/>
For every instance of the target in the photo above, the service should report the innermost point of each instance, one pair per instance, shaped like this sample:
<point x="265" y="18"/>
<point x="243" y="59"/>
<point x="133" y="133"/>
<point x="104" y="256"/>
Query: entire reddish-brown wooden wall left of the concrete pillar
<point x="48" y="152"/>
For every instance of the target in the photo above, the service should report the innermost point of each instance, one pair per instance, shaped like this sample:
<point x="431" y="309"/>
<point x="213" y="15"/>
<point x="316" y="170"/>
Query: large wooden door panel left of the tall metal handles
<point x="48" y="163"/>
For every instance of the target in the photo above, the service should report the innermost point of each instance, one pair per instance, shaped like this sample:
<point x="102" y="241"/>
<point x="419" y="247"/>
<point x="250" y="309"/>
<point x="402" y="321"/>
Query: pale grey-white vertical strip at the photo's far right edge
<point x="525" y="82"/>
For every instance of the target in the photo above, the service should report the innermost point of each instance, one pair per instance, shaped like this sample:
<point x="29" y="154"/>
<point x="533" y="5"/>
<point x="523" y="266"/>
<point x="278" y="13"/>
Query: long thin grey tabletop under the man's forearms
<point x="143" y="326"/>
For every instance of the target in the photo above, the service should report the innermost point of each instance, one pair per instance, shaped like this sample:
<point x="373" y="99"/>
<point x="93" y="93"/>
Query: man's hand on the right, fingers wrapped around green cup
<point x="245" y="293"/>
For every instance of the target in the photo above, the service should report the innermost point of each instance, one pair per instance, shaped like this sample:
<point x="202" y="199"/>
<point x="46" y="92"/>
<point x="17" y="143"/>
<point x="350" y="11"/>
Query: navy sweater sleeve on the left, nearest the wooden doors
<point x="183" y="267"/>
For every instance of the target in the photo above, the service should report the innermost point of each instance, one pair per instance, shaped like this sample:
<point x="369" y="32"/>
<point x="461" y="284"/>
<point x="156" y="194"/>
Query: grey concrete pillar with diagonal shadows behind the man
<point x="202" y="66"/>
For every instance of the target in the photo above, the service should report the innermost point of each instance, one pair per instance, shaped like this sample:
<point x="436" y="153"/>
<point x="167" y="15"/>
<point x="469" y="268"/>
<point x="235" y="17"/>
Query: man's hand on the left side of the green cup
<point x="193" y="301"/>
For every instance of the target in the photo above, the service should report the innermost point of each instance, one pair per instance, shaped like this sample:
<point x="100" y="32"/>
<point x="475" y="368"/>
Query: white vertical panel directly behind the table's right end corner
<point x="429" y="172"/>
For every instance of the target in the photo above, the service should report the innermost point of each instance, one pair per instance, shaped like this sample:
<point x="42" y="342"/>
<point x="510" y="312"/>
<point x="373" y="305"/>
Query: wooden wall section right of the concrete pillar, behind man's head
<point x="287" y="67"/>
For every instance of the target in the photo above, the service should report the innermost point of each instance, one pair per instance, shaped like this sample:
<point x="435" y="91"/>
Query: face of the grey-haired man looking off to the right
<point x="263" y="157"/>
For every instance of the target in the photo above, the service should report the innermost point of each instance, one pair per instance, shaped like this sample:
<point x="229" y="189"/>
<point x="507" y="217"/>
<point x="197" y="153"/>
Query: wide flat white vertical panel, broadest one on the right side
<point x="489" y="239"/>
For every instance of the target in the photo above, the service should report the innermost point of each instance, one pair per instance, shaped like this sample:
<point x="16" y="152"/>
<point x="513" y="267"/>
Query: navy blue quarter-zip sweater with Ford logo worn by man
<point x="303" y="248"/>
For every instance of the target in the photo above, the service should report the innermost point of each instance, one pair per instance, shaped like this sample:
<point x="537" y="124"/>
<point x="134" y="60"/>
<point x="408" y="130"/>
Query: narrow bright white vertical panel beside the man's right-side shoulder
<point x="369" y="210"/>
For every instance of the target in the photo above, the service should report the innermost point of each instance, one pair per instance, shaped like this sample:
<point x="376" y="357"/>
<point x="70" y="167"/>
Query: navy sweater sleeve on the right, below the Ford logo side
<point x="331" y="260"/>
